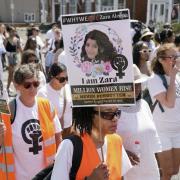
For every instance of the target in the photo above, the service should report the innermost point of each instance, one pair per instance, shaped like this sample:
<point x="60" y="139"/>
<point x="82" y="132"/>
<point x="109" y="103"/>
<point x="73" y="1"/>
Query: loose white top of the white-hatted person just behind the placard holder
<point x="136" y="124"/>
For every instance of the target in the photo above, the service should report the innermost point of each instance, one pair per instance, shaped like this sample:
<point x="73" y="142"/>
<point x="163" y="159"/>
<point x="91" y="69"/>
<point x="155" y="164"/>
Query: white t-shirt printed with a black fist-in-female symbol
<point x="27" y="141"/>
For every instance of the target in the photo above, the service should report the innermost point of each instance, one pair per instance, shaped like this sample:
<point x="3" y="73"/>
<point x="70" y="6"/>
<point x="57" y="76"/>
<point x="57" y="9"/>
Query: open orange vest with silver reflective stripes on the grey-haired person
<point x="46" y="116"/>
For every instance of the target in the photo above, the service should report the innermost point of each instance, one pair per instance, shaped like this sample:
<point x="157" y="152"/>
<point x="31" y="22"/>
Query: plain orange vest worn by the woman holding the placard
<point x="90" y="158"/>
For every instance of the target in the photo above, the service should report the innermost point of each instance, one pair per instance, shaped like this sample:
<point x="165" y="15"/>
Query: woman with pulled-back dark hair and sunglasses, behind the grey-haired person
<point x="58" y="93"/>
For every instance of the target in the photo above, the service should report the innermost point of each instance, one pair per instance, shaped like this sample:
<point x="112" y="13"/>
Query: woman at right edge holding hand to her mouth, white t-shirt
<point x="164" y="86"/>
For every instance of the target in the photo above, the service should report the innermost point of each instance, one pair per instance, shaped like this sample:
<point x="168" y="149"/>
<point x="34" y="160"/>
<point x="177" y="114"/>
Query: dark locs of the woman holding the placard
<point x="83" y="119"/>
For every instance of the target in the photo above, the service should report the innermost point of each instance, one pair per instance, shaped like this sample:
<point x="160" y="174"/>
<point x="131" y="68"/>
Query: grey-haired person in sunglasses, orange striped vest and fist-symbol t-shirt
<point x="35" y="128"/>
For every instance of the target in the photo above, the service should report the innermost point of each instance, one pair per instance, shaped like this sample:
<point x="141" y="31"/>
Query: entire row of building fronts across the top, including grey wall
<point x="42" y="11"/>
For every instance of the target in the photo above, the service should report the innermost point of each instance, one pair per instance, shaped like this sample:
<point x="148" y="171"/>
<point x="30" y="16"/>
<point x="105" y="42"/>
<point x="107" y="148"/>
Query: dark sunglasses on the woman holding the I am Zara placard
<point x="109" y="115"/>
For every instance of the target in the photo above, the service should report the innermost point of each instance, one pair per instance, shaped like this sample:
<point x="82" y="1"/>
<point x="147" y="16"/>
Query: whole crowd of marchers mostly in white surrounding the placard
<point x="138" y="142"/>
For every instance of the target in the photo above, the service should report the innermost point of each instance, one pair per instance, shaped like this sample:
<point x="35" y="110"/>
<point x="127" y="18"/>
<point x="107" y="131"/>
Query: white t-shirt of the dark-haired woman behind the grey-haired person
<point x="57" y="99"/>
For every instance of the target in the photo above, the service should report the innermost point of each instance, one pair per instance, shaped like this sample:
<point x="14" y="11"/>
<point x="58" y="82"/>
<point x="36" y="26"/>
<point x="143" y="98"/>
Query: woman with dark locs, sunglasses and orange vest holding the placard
<point x="96" y="127"/>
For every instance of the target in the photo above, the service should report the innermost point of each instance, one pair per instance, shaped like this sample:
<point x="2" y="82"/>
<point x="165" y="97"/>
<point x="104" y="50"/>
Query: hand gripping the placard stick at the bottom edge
<point x="101" y="172"/>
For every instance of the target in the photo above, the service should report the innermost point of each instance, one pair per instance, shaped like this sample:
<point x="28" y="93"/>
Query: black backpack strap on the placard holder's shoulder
<point x="77" y="155"/>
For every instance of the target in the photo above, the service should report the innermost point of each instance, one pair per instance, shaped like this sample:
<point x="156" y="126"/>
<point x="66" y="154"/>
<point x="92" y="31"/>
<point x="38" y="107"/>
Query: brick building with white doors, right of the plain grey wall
<point x="158" y="11"/>
